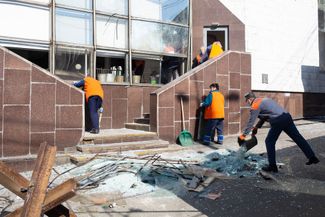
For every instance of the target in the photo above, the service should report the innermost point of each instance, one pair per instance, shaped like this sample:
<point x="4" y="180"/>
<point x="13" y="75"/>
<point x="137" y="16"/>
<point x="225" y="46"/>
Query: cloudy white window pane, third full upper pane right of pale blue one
<point x="146" y="36"/>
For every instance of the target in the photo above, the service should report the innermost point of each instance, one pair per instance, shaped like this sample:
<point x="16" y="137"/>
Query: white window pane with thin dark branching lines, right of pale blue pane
<point x="112" y="32"/>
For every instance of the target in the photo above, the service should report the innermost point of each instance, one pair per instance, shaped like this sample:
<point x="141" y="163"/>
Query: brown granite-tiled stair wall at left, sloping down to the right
<point x="34" y="105"/>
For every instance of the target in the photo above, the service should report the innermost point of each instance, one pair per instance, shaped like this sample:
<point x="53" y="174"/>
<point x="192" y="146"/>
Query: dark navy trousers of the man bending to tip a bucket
<point x="285" y="123"/>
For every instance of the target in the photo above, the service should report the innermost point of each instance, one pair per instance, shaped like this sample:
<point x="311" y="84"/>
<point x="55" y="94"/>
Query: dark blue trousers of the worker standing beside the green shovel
<point x="211" y="126"/>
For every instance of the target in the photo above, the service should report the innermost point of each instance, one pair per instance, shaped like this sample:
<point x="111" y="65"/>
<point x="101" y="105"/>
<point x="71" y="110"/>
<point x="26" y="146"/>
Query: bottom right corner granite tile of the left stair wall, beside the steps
<point x="67" y="138"/>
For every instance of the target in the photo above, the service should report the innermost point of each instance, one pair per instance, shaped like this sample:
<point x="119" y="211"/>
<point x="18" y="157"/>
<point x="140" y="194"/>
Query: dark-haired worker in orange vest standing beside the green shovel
<point x="214" y="105"/>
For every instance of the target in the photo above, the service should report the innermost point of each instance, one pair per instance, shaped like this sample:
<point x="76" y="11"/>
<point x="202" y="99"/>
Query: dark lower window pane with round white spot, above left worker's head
<point x="71" y="64"/>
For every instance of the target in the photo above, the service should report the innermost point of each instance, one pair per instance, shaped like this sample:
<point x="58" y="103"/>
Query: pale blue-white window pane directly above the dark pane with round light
<point x="73" y="27"/>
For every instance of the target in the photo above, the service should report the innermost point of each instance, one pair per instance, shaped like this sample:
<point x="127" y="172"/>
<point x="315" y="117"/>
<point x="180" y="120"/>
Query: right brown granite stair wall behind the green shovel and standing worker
<point x="192" y="86"/>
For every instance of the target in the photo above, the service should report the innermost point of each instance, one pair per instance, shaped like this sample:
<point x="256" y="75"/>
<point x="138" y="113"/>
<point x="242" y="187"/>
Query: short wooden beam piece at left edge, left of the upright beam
<point x="12" y="180"/>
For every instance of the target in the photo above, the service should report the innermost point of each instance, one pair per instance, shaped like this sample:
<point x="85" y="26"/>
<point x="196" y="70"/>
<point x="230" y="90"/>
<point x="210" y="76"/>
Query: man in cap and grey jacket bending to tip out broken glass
<point x="280" y="120"/>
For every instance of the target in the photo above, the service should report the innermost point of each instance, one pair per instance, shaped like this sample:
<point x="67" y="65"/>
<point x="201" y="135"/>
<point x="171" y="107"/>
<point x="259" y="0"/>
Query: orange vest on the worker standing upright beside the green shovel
<point x="217" y="107"/>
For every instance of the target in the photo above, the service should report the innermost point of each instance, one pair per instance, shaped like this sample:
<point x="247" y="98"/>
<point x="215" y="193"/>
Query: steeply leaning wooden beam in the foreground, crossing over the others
<point x="39" y="181"/>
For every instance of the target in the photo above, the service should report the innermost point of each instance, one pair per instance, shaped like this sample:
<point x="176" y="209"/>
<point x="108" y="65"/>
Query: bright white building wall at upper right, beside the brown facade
<point x="282" y="37"/>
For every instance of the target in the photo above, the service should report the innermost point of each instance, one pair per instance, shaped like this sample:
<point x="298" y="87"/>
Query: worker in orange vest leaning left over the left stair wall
<point x="94" y="97"/>
